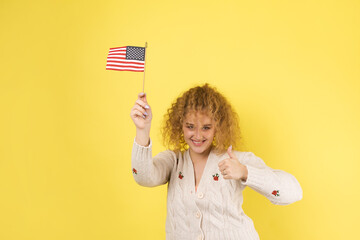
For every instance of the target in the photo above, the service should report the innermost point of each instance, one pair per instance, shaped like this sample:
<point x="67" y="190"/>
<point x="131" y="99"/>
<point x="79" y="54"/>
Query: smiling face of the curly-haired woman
<point x="199" y="131"/>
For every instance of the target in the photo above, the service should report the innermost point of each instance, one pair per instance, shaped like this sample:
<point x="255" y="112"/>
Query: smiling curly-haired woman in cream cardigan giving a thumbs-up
<point x="205" y="176"/>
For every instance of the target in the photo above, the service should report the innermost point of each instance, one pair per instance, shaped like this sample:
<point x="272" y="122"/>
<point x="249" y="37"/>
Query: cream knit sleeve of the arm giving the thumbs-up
<point x="280" y="187"/>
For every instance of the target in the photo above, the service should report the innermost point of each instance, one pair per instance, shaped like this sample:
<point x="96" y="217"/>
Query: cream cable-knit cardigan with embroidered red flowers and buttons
<point x="214" y="209"/>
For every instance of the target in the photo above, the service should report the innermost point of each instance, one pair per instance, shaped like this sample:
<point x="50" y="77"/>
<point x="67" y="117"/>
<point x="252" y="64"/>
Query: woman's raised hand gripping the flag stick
<point x="141" y="113"/>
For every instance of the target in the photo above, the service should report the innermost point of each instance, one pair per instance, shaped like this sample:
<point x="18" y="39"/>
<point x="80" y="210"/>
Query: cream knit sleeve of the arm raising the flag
<point x="149" y="171"/>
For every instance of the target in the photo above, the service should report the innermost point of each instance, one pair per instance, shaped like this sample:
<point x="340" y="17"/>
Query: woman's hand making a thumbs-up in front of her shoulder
<point x="231" y="168"/>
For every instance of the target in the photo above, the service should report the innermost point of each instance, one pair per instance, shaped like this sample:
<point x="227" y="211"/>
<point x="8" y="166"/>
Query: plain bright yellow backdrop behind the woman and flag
<point x="290" y="69"/>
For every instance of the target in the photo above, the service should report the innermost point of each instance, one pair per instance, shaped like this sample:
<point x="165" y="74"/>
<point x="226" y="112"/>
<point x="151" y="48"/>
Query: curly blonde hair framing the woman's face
<point x="209" y="101"/>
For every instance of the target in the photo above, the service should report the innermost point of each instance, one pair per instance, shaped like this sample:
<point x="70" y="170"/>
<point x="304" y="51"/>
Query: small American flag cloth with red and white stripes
<point x="126" y="59"/>
